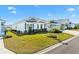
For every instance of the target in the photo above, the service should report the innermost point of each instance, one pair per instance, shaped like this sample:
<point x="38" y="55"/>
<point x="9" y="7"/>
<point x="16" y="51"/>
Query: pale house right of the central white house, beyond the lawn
<point x="61" y="22"/>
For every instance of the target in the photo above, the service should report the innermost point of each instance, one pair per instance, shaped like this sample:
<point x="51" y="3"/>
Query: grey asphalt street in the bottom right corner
<point x="71" y="48"/>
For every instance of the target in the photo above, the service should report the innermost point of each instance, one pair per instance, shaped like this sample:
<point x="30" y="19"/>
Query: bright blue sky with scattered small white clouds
<point x="13" y="13"/>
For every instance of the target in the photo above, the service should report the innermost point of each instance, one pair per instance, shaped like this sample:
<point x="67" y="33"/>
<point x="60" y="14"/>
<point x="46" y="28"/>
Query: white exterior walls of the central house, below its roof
<point x="21" y="26"/>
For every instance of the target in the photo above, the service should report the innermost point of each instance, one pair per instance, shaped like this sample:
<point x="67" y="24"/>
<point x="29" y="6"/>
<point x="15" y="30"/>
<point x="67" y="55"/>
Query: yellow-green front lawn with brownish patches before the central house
<point x="28" y="44"/>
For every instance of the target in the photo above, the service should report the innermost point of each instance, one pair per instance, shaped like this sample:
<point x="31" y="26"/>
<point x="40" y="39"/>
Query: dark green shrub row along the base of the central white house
<point x="30" y="31"/>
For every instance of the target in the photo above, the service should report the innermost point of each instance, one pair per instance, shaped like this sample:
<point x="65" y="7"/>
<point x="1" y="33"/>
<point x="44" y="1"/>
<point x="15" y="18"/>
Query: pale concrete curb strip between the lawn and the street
<point x="54" y="46"/>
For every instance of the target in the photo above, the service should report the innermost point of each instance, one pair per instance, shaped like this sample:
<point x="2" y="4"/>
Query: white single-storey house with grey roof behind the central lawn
<point x="31" y="22"/>
